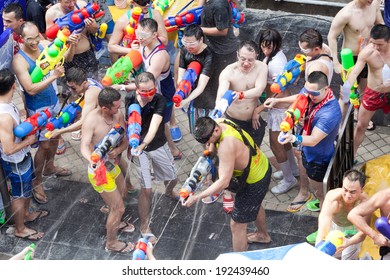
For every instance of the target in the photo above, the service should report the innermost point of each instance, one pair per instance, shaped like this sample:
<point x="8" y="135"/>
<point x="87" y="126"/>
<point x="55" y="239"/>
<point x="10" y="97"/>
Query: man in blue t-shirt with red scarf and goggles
<point x="320" y="129"/>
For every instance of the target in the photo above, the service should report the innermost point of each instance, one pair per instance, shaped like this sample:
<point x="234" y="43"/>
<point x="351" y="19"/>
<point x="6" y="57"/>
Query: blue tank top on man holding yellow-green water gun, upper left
<point x="45" y="98"/>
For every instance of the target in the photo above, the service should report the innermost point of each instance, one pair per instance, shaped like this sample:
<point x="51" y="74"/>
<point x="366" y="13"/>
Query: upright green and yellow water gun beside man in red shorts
<point x="348" y="63"/>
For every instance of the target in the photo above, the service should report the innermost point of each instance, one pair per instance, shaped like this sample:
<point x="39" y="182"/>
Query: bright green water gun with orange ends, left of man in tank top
<point x="120" y="70"/>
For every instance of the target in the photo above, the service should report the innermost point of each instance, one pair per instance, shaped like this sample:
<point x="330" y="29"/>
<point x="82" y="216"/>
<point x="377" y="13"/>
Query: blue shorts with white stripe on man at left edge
<point x="21" y="175"/>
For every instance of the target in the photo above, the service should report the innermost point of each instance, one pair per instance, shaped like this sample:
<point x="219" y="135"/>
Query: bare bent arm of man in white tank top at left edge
<point x="7" y="137"/>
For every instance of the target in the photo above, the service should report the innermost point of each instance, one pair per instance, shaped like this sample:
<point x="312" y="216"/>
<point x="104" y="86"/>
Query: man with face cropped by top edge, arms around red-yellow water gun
<point x="116" y="44"/>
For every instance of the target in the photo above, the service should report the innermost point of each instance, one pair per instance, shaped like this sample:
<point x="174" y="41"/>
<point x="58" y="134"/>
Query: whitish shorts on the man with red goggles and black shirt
<point x="163" y="166"/>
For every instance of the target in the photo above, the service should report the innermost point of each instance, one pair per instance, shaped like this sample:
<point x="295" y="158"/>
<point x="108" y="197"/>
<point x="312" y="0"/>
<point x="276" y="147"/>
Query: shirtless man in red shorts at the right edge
<point x="376" y="95"/>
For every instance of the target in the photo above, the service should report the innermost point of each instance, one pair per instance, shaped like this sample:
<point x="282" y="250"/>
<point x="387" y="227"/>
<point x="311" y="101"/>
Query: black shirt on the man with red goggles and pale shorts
<point x="156" y="106"/>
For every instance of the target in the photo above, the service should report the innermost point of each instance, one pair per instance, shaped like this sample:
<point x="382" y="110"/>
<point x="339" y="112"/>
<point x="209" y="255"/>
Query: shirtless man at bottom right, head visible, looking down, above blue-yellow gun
<point x="337" y="204"/>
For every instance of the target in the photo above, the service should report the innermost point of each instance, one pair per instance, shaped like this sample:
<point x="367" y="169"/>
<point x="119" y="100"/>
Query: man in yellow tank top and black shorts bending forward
<point x="241" y="161"/>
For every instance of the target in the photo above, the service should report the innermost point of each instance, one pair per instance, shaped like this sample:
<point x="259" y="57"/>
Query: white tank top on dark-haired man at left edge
<point x="10" y="108"/>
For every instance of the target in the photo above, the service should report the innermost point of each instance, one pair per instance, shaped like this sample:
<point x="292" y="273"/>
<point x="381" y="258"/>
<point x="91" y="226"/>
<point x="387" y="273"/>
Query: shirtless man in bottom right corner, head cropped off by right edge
<point x="360" y="216"/>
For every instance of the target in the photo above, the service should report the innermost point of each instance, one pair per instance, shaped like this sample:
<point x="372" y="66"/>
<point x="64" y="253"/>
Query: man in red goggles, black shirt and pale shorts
<point x="153" y="149"/>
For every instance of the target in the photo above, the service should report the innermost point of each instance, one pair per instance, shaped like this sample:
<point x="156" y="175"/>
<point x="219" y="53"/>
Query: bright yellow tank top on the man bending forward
<point x="259" y="163"/>
